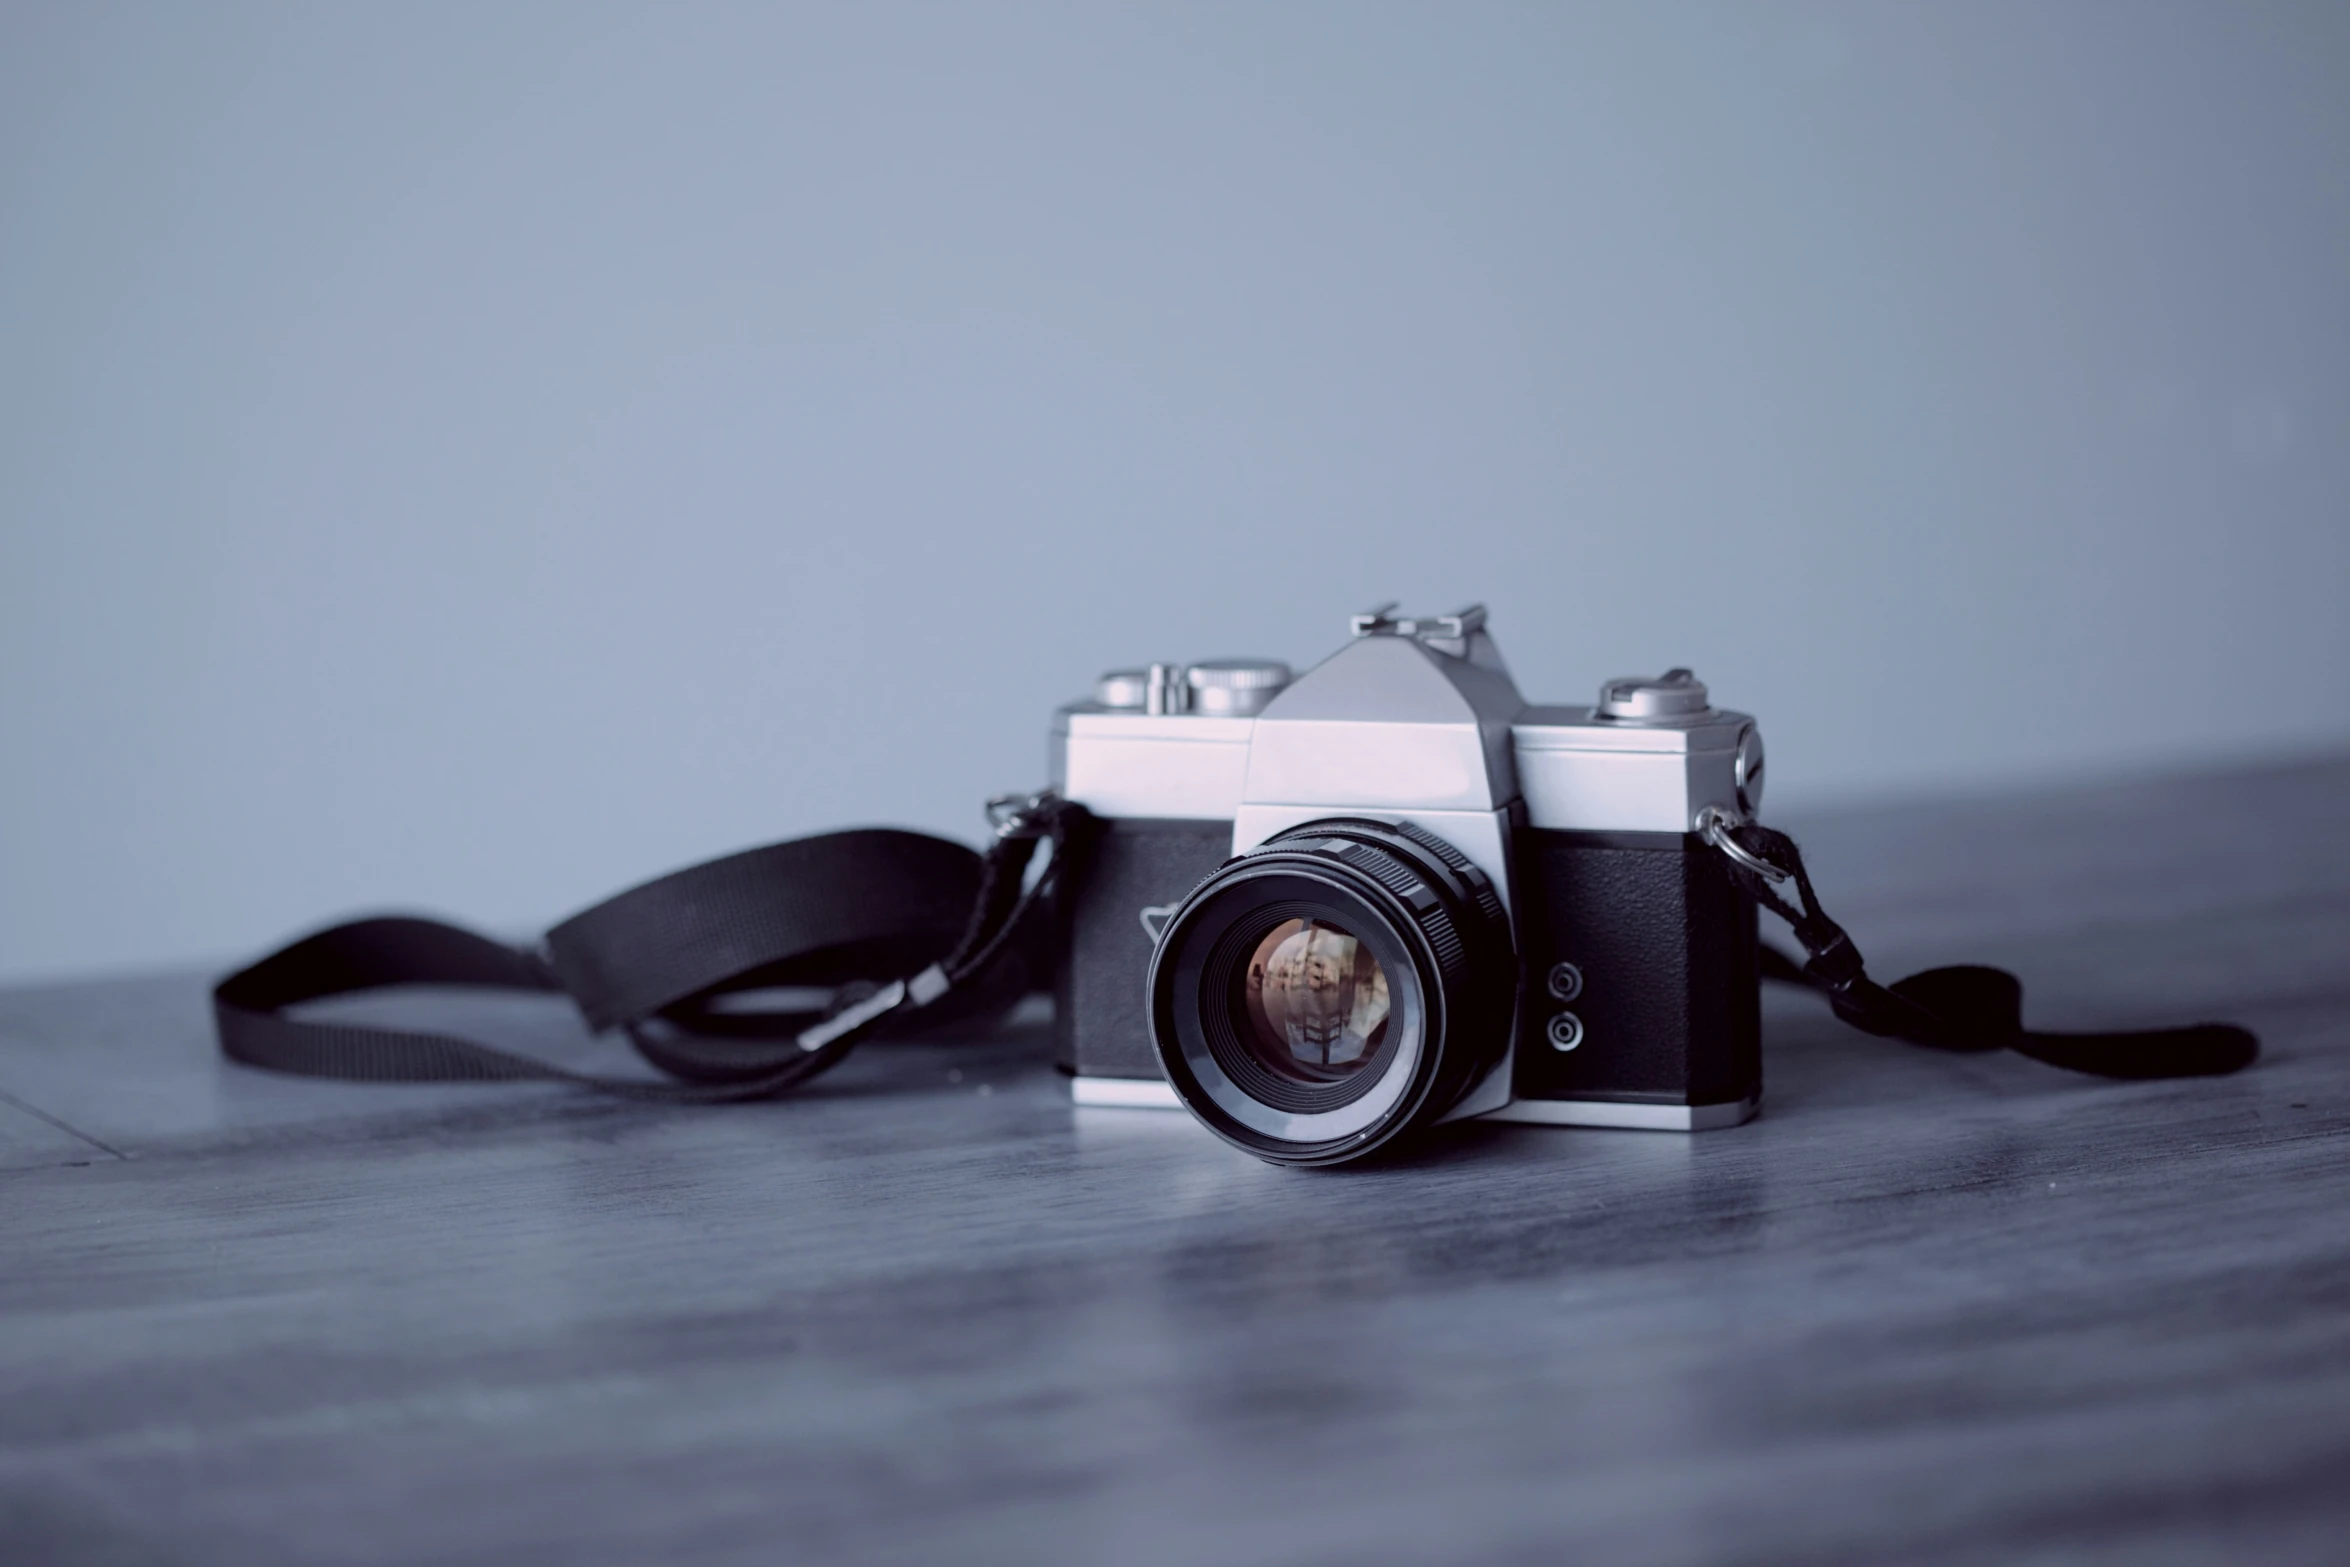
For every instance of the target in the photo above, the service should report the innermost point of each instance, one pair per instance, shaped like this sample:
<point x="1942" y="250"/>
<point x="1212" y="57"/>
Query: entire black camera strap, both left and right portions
<point x="897" y="924"/>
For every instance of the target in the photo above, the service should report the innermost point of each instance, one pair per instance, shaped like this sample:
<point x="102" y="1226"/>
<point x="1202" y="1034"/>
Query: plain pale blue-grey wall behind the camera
<point x="478" y="457"/>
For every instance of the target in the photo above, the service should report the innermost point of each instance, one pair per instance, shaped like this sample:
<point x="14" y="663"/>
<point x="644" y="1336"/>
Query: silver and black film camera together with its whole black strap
<point x="1317" y="913"/>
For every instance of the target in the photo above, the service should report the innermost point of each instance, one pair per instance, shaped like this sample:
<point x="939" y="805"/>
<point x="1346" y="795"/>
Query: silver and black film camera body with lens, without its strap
<point x="1322" y="913"/>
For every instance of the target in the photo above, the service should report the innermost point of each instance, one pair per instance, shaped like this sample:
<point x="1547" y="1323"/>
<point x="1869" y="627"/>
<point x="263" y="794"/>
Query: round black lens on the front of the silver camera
<point x="1331" y="990"/>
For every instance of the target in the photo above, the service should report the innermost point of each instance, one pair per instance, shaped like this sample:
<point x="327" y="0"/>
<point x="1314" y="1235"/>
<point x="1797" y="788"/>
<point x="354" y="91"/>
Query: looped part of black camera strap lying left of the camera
<point x="887" y="922"/>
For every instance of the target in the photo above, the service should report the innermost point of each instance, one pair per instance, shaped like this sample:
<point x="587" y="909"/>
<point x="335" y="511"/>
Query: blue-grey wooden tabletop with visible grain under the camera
<point x="1926" y="1310"/>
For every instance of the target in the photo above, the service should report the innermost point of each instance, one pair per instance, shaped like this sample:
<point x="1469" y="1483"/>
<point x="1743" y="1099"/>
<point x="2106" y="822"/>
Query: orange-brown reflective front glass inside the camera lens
<point x="1317" y="1000"/>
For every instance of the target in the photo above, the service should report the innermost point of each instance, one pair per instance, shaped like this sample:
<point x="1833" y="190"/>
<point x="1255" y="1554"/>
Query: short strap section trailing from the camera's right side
<point x="1949" y="1009"/>
